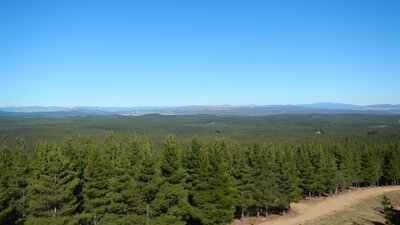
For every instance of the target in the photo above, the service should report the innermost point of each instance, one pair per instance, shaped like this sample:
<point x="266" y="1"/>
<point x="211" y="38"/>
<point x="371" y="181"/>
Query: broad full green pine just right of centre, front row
<point x="213" y="195"/>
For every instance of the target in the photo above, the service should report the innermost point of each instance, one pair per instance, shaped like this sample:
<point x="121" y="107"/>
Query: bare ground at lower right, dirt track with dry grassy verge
<point x="360" y="206"/>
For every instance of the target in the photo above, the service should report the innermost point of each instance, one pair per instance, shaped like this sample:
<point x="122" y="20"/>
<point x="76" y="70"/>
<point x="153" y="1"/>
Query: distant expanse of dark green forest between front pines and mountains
<point x="268" y="128"/>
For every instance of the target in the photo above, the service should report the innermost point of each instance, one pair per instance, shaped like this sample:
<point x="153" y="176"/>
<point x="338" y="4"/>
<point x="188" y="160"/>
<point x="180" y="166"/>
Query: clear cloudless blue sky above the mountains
<point x="142" y="53"/>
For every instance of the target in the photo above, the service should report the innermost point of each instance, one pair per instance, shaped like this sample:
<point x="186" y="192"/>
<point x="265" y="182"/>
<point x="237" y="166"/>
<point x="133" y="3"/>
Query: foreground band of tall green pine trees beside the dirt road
<point x="202" y="182"/>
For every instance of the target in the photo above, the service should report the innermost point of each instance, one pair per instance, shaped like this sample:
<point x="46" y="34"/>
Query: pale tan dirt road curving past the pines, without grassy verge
<point x="313" y="209"/>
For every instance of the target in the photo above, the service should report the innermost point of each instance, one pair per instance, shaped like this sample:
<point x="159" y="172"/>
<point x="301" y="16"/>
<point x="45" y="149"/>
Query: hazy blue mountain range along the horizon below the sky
<point x="318" y="108"/>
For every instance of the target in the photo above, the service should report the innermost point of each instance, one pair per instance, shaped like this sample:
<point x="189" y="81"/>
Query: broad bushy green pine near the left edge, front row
<point x="52" y="187"/>
